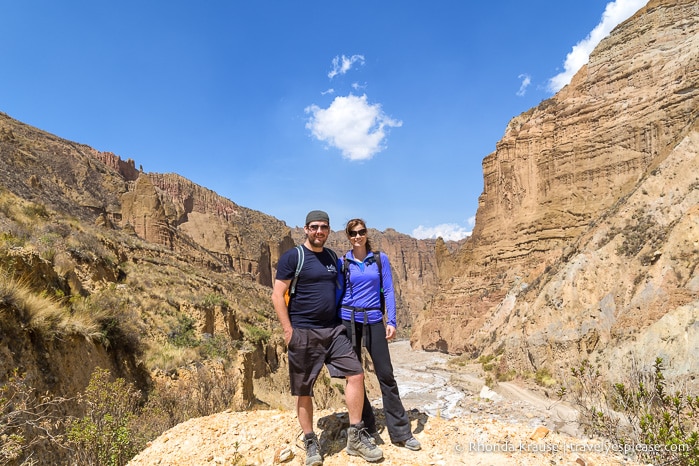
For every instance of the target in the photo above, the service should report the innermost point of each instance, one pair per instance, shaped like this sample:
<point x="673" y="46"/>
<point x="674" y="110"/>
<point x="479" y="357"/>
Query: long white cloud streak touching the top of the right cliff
<point x="615" y="13"/>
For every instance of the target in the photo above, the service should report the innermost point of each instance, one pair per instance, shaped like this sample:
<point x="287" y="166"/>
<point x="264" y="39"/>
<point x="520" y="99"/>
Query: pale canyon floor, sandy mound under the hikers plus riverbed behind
<point x="452" y="415"/>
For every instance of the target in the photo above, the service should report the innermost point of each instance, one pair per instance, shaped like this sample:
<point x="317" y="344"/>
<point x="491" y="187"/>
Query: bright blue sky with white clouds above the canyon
<point x="380" y="110"/>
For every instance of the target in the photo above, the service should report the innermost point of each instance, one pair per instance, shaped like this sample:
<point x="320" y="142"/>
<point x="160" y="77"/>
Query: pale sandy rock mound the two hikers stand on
<point x="262" y="437"/>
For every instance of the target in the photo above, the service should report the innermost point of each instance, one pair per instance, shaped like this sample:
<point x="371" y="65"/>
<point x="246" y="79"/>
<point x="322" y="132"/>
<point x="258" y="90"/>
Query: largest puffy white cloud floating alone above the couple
<point x="352" y="125"/>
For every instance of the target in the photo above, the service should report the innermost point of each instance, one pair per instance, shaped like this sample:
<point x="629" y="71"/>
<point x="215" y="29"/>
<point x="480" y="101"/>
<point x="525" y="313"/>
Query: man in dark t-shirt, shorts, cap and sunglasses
<point x="315" y="336"/>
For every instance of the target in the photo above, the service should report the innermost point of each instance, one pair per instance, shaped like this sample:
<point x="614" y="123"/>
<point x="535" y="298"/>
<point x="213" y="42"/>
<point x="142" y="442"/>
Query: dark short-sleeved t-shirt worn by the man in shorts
<point x="313" y="305"/>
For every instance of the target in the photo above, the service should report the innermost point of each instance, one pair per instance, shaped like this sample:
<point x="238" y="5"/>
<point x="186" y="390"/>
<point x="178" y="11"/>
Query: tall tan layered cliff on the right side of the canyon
<point x="585" y="241"/>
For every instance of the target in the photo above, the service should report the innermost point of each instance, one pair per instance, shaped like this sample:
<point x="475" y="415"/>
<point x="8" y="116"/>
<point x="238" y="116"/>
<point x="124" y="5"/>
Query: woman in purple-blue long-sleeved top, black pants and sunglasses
<point x="363" y="311"/>
